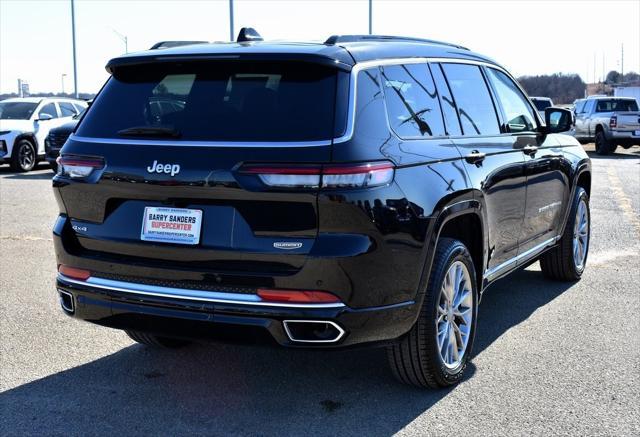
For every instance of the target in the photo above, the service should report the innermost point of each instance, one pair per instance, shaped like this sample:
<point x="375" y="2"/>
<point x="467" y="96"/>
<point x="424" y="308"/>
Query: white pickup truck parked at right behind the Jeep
<point x="609" y="122"/>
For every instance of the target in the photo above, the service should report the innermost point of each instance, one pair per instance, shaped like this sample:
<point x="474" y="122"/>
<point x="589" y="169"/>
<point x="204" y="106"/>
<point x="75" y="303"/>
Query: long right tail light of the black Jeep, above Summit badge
<point x="323" y="176"/>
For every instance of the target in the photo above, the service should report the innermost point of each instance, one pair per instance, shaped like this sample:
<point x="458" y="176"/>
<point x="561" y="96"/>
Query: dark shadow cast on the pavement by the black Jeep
<point x="229" y="389"/>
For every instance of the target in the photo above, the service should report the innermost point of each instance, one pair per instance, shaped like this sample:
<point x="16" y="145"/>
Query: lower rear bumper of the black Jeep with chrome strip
<point x="197" y="314"/>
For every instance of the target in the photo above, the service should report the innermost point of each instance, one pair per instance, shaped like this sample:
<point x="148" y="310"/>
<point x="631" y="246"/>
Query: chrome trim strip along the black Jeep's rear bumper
<point x="188" y="294"/>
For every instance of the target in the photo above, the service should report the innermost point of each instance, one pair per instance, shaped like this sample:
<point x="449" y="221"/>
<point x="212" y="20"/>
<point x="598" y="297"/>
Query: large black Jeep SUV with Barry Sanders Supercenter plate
<point x="365" y="190"/>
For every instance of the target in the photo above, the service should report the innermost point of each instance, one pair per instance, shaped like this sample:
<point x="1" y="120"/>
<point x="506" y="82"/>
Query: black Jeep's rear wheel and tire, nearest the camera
<point x="416" y="358"/>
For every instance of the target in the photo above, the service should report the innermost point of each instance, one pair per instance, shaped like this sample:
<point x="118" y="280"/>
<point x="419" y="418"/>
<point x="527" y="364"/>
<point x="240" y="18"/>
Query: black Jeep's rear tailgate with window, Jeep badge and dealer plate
<point x="173" y="135"/>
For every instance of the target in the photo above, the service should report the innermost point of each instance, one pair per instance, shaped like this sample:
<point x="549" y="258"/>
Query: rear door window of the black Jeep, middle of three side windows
<point x="475" y="107"/>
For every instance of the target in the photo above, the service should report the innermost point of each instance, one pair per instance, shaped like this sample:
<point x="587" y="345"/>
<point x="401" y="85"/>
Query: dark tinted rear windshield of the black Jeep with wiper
<point x="216" y="101"/>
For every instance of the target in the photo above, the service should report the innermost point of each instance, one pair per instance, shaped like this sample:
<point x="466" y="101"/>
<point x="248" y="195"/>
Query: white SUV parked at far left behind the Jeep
<point x="25" y="123"/>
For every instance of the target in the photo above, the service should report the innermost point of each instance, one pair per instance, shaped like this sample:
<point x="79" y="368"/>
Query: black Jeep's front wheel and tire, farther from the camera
<point x="561" y="263"/>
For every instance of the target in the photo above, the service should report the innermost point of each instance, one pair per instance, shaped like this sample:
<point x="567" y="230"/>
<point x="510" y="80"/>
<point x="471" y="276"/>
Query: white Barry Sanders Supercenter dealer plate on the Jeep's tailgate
<point x="171" y="225"/>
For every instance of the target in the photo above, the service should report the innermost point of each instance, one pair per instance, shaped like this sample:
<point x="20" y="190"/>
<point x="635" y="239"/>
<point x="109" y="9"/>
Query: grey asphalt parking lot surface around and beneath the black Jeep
<point x="550" y="358"/>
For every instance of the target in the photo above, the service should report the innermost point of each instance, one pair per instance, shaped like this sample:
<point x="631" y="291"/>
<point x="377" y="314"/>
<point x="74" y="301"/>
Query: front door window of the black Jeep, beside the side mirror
<point x="518" y="113"/>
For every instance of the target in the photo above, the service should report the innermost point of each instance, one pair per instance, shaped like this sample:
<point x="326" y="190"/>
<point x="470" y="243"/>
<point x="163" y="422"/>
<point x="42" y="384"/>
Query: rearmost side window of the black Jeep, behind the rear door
<point x="412" y="101"/>
